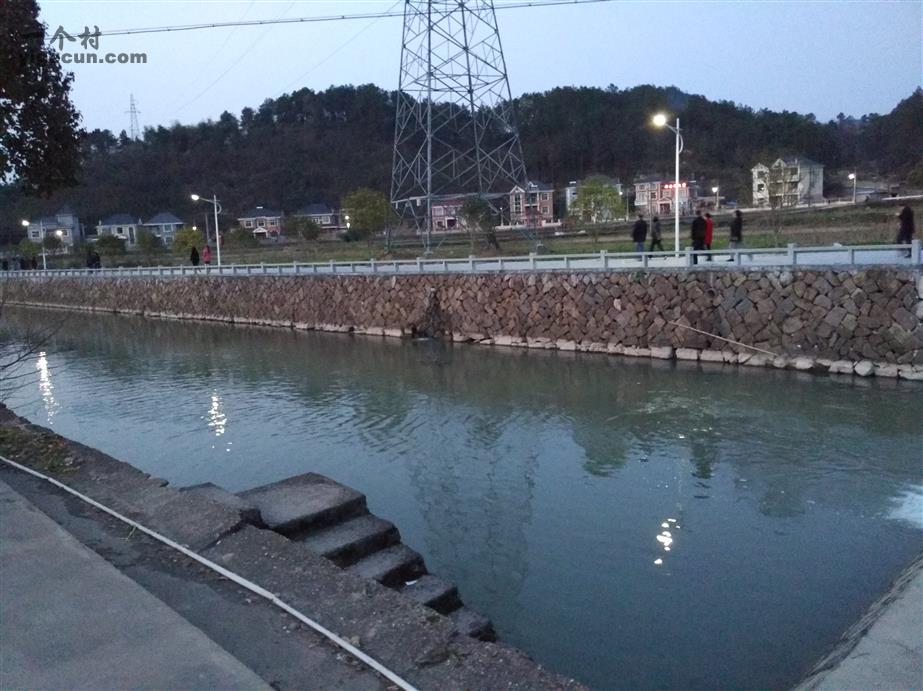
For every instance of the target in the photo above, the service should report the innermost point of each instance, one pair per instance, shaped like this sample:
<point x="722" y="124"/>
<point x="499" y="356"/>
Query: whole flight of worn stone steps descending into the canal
<point x="333" y="520"/>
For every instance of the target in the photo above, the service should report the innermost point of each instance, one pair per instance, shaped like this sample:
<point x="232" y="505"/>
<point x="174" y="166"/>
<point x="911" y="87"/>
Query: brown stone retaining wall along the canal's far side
<point x="866" y="321"/>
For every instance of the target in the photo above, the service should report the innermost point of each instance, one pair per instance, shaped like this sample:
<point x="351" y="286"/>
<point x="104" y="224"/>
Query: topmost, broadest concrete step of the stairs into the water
<point x="305" y="502"/>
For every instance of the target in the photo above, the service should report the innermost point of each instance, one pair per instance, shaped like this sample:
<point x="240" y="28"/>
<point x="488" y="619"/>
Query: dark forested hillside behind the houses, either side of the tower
<point x="317" y="146"/>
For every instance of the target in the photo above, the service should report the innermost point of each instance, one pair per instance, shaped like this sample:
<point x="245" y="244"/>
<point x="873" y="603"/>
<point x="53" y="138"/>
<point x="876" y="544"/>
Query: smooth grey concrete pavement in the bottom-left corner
<point x="68" y="619"/>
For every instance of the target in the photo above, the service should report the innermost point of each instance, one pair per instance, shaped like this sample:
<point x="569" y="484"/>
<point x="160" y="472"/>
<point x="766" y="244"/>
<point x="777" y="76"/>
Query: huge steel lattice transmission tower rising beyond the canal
<point x="454" y="131"/>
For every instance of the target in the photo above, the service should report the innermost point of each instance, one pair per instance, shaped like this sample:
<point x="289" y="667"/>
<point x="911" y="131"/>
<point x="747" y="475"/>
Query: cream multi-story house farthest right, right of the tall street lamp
<point x="793" y="181"/>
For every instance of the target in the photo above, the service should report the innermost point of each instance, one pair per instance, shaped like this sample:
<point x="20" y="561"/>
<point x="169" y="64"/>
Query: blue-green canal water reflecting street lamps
<point x="633" y="524"/>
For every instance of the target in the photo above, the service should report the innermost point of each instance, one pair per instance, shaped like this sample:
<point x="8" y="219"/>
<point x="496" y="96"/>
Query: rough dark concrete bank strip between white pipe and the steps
<point x="411" y="640"/>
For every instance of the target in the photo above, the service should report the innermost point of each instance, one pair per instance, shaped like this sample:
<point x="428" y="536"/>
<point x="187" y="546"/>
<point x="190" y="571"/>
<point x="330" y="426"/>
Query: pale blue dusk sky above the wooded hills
<point x="820" y="57"/>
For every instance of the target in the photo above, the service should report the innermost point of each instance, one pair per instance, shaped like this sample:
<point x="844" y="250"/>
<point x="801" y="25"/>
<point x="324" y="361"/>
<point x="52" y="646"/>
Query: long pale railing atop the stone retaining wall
<point x="792" y="255"/>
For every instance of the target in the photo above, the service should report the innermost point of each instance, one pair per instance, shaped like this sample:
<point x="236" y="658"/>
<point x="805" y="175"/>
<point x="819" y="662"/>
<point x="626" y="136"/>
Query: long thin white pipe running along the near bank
<point x="230" y="575"/>
